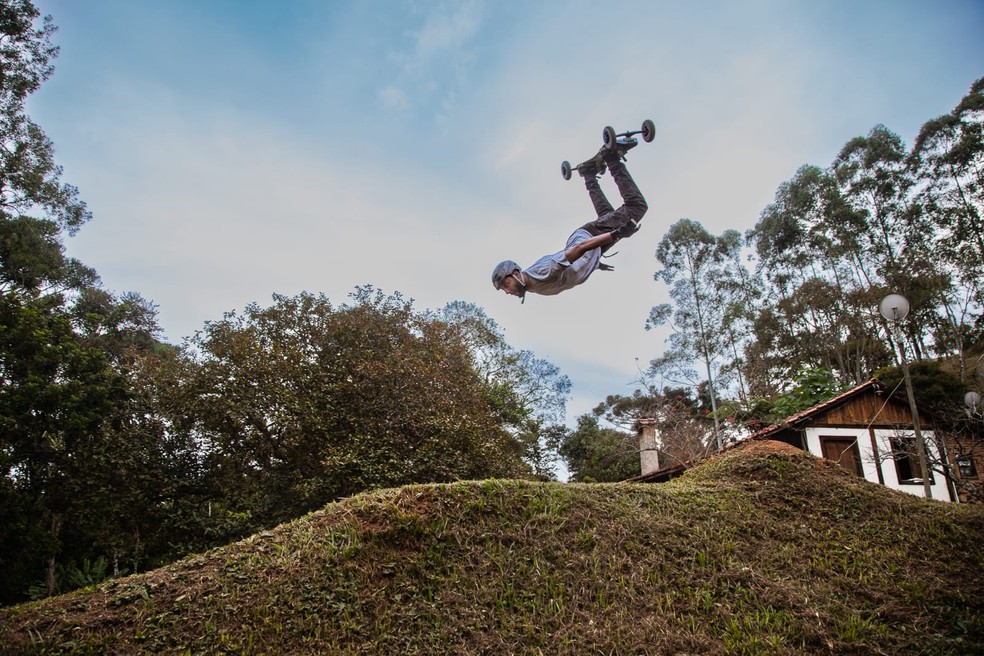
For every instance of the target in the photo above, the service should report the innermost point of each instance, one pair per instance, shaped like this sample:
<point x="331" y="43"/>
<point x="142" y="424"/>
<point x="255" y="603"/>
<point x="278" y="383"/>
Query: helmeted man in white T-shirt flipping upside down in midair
<point x="560" y="271"/>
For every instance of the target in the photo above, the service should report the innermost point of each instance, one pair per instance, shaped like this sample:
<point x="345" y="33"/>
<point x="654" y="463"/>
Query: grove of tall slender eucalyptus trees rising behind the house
<point x="880" y="219"/>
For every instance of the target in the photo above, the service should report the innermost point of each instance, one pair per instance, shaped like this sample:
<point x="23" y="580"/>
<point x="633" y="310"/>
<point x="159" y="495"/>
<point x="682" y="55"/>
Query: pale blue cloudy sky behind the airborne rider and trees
<point x="233" y="149"/>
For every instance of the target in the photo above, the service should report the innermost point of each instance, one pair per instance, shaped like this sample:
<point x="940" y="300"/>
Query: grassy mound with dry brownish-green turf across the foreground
<point x="764" y="550"/>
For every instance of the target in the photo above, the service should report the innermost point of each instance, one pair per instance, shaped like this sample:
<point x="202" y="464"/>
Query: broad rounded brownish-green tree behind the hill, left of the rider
<point x="303" y="402"/>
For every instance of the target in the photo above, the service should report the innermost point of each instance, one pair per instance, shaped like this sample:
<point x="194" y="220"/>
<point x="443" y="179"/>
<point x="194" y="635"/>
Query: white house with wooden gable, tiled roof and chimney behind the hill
<point x="864" y="430"/>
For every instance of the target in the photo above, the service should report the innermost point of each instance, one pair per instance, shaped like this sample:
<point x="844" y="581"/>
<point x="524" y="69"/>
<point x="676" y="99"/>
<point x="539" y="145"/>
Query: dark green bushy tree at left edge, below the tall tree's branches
<point x="54" y="398"/>
